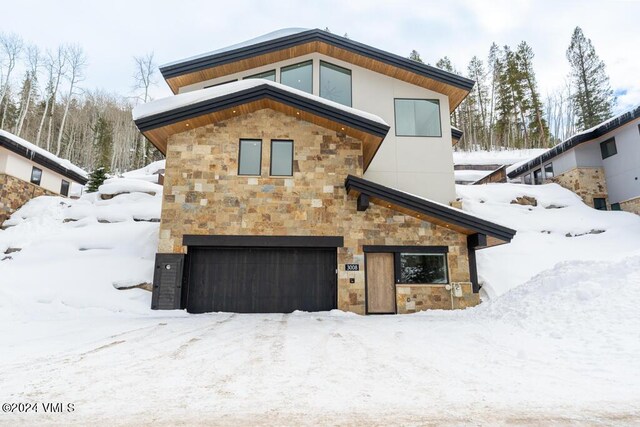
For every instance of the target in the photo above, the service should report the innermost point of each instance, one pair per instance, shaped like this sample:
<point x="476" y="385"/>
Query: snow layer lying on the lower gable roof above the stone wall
<point x="185" y="99"/>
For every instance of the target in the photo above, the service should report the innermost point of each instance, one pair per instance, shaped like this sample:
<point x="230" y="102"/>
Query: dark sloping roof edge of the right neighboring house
<point x="577" y="139"/>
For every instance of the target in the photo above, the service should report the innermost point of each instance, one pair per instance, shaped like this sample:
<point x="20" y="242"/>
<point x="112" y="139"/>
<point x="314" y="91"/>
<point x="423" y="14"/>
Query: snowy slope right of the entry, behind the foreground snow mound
<point x="560" y="228"/>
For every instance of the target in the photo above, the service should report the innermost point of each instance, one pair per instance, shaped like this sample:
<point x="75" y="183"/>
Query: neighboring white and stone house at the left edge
<point x="28" y="171"/>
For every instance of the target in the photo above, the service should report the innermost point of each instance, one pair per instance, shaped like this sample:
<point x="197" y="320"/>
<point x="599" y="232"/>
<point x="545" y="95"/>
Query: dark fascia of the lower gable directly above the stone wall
<point x="256" y="93"/>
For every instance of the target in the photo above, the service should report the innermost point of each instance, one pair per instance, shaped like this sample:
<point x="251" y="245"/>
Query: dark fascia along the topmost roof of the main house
<point x="196" y="64"/>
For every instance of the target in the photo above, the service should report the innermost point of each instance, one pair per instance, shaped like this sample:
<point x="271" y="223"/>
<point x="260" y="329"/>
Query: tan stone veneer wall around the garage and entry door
<point x="204" y="195"/>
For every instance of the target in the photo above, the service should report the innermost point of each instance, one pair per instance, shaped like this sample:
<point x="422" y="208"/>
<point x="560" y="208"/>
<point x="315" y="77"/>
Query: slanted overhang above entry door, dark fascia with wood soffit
<point x="488" y="233"/>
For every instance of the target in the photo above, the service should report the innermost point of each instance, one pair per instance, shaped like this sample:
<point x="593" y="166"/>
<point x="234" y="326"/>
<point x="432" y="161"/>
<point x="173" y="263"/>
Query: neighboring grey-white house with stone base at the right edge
<point x="601" y="164"/>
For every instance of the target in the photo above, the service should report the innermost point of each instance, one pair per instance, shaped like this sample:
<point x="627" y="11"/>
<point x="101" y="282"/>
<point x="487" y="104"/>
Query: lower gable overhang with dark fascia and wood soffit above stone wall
<point x="157" y="128"/>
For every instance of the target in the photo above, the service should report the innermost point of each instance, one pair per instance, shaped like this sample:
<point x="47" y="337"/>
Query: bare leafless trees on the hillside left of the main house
<point x="43" y="100"/>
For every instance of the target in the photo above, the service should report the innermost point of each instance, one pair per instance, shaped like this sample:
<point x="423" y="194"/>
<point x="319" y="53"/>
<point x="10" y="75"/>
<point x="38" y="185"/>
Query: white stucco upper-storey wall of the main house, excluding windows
<point x="419" y="165"/>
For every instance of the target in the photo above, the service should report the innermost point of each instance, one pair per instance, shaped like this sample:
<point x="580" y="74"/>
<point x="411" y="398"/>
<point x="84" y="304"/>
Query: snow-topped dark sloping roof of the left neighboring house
<point x="42" y="157"/>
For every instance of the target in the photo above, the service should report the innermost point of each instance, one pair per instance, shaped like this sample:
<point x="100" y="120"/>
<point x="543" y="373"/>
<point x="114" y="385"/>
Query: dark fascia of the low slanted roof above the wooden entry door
<point x="429" y="208"/>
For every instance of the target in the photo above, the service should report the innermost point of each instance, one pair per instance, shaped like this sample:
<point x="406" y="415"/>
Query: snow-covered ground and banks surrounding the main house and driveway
<point x="556" y="340"/>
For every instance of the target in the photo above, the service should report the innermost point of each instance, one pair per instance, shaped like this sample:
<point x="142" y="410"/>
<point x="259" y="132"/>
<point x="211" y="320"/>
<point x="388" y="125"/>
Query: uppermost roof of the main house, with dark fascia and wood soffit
<point x="291" y="43"/>
